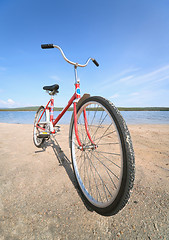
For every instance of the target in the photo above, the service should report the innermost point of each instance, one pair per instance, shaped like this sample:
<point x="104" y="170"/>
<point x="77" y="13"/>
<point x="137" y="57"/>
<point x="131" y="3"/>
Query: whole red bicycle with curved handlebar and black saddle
<point x="101" y="147"/>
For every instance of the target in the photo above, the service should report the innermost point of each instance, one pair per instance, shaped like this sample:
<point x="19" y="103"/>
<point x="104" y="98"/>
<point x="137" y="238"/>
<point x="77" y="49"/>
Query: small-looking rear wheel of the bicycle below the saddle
<point x="36" y="130"/>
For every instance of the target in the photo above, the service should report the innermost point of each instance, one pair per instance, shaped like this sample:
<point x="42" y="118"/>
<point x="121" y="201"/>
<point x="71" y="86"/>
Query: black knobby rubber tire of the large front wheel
<point x="130" y="173"/>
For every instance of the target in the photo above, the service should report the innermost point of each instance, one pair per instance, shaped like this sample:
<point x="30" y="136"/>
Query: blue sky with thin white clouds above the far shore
<point x="129" y="39"/>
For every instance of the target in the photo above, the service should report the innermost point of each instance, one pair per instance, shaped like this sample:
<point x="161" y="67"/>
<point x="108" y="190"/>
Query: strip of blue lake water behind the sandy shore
<point x="131" y="117"/>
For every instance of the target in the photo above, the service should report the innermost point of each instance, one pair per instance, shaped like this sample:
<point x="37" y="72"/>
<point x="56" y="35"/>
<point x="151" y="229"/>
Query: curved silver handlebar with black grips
<point x="46" y="46"/>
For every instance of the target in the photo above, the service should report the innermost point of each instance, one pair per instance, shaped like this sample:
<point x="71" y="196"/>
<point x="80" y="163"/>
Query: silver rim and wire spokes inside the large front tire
<point x="98" y="171"/>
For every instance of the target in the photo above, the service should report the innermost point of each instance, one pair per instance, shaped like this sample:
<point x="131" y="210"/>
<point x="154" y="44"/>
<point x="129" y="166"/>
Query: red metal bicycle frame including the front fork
<point x="74" y="99"/>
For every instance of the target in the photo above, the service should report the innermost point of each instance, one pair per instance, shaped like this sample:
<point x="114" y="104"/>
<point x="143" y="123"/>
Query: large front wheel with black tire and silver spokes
<point x="104" y="167"/>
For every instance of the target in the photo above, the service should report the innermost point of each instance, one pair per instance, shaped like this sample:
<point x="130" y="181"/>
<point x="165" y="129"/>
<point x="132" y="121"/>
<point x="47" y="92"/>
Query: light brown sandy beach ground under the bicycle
<point x="39" y="197"/>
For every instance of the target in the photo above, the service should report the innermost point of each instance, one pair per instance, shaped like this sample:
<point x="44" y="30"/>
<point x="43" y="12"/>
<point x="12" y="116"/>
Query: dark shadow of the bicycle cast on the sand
<point x="66" y="163"/>
